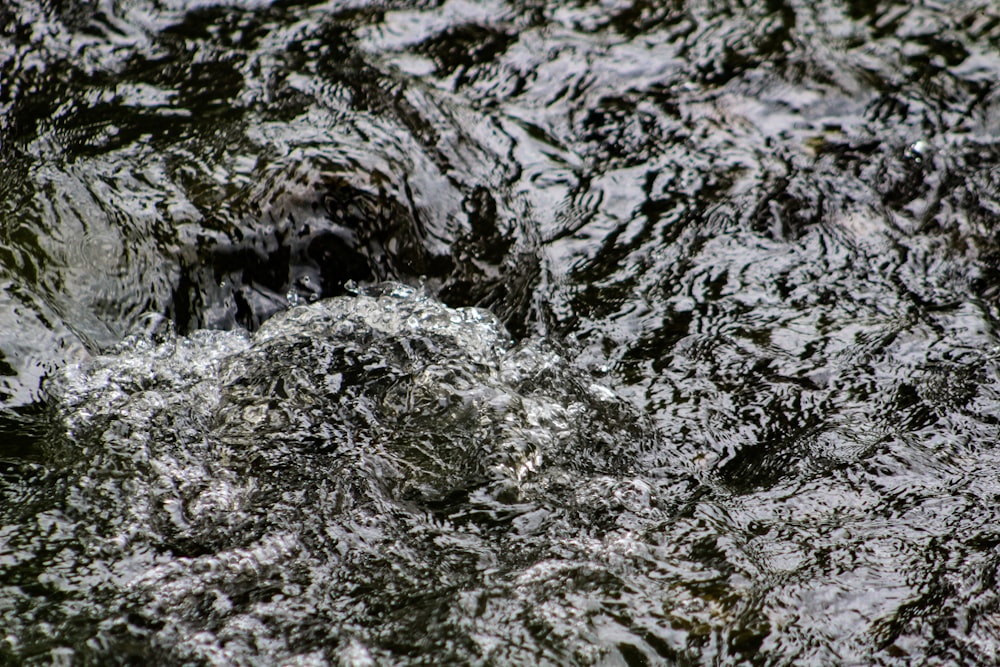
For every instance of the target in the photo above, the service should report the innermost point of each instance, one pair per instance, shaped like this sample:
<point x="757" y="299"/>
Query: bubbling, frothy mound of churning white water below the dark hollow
<point x="372" y="477"/>
